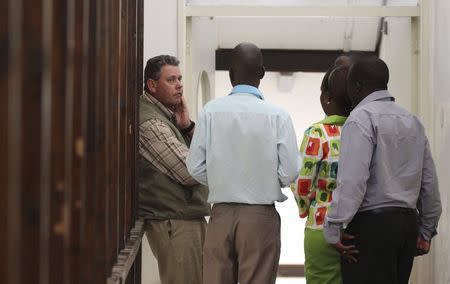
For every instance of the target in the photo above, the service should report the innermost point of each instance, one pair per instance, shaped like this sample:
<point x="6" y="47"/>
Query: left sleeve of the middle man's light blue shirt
<point x="196" y="160"/>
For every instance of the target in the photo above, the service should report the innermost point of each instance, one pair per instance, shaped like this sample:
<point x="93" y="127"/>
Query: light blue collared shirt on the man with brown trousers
<point x="244" y="149"/>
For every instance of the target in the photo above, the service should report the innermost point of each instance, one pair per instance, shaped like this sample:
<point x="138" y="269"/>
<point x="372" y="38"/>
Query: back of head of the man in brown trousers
<point x="246" y="65"/>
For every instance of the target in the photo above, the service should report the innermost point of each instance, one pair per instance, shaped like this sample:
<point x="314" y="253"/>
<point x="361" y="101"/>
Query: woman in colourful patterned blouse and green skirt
<point x="317" y="179"/>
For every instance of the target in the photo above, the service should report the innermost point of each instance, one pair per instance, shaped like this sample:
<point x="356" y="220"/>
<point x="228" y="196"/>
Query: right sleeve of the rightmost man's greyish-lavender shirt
<point x="429" y="202"/>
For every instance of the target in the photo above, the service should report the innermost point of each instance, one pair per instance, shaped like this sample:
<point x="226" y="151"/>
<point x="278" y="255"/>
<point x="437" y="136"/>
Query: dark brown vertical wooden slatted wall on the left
<point x="70" y="76"/>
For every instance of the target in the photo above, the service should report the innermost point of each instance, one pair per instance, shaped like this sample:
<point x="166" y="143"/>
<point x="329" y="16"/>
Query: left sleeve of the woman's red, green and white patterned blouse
<point x="310" y="155"/>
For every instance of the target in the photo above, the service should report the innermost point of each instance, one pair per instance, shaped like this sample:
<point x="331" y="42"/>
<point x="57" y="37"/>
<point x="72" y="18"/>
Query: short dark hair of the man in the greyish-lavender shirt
<point x="371" y="72"/>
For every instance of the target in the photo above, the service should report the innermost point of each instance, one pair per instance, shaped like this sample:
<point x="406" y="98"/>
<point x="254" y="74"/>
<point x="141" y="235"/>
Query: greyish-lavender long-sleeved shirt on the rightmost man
<point x="385" y="160"/>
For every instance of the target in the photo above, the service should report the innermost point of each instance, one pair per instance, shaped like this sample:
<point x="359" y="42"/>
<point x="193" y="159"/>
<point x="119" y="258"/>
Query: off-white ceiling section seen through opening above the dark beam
<point x="319" y="33"/>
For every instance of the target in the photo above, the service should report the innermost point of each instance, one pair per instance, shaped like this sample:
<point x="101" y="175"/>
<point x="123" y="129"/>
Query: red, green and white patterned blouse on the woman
<point x="319" y="154"/>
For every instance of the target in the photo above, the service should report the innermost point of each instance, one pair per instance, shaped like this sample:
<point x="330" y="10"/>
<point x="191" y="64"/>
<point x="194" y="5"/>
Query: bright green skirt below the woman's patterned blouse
<point x="322" y="261"/>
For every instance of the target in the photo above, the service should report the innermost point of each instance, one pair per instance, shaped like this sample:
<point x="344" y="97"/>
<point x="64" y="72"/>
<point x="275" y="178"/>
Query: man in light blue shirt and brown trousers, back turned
<point x="245" y="150"/>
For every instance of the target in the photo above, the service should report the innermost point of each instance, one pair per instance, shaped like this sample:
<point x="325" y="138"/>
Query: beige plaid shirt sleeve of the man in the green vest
<point x="159" y="145"/>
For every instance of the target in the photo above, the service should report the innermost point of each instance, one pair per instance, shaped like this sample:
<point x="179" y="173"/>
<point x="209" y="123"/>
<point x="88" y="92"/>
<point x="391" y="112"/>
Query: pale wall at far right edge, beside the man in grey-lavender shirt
<point x="433" y="268"/>
